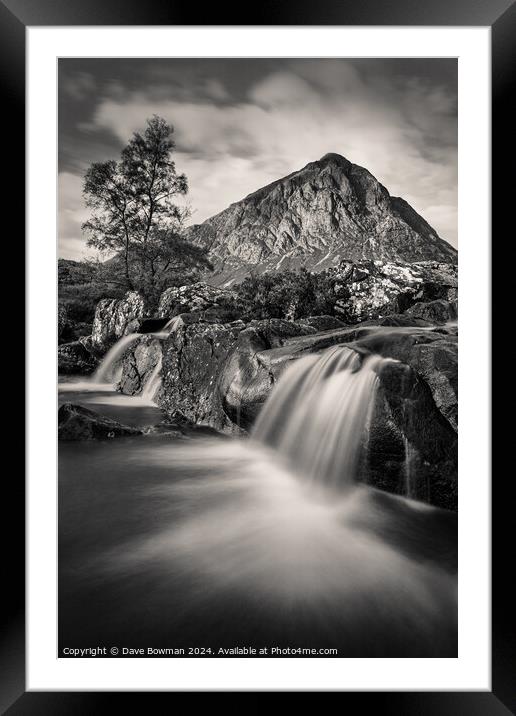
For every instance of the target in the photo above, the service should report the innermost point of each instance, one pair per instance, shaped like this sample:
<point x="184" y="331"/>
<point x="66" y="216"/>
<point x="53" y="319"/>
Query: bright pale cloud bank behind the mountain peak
<point x="403" y="130"/>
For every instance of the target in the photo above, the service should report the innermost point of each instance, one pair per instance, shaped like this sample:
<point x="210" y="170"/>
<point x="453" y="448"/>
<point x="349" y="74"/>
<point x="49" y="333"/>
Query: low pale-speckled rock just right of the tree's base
<point x="195" y="297"/>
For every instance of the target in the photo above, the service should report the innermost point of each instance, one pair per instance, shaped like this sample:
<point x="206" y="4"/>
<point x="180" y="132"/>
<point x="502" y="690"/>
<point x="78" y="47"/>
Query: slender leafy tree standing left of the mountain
<point x="134" y="218"/>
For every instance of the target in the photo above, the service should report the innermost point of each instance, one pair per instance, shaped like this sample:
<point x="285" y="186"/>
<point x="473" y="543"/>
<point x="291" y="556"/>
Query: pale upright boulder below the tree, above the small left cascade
<point x="113" y="318"/>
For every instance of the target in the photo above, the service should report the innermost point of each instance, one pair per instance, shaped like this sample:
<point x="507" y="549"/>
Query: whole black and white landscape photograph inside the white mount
<point x="257" y="357"/>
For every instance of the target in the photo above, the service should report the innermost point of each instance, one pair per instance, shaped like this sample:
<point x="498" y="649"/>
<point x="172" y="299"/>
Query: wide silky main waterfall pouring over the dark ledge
<point x="318" y="414"/>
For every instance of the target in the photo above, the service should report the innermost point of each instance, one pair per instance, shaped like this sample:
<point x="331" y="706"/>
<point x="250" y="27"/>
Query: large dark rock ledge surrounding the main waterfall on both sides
<point x="220" y="375"/>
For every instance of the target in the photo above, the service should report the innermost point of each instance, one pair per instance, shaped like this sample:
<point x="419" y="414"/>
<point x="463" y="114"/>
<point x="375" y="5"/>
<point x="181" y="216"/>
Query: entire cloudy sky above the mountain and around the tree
<point x="242" y="123"/>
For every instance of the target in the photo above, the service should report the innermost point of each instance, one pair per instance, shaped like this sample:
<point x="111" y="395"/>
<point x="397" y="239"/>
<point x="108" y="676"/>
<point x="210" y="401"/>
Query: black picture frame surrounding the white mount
<point x="15" y="17"/>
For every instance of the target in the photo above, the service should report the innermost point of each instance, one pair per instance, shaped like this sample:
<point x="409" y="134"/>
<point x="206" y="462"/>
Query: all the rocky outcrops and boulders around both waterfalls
<point x="218" y="367"/>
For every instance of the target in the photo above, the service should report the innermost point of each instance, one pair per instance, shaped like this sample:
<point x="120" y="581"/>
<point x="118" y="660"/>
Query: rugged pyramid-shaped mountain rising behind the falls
<point x="329" y="211"/>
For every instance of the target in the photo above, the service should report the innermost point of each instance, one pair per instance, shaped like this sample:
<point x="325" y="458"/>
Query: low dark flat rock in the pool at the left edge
<point x="78" y="423"/>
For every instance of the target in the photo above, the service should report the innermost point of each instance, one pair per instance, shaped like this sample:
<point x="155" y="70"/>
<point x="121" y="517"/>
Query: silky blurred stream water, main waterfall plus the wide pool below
<point x="170" y="540"/>
